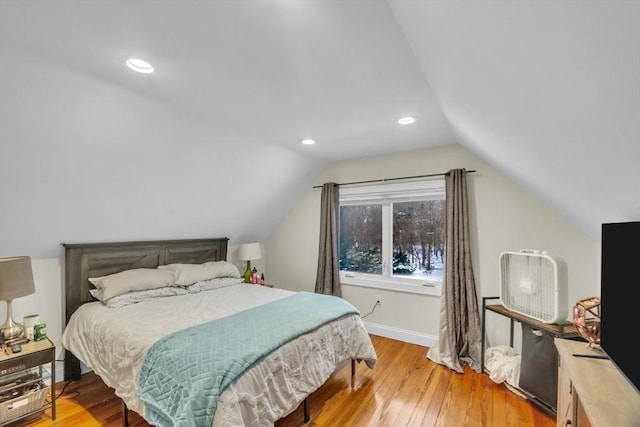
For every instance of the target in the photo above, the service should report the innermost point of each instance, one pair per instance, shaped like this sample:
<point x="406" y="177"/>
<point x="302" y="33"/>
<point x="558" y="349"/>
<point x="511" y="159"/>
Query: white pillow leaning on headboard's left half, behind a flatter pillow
<point x="138" y="279"/>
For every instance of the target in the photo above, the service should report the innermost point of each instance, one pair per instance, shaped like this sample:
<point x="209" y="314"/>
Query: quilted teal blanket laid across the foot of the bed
<point x="184" y="373"/>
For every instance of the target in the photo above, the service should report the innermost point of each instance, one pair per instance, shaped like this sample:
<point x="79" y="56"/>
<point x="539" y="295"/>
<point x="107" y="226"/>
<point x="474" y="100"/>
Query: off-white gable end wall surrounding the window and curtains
<point x="504" y="217"/>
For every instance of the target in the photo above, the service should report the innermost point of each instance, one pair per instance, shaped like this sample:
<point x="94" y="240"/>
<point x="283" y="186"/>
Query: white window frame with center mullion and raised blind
<point x="385" y="194"/>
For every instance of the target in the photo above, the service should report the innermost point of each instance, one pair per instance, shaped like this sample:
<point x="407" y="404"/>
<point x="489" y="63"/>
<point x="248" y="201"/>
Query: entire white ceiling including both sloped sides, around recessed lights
<point x="547" y="92"/>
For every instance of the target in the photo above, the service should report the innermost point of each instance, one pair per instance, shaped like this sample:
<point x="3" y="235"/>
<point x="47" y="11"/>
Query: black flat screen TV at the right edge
<point x="619" y="283"/>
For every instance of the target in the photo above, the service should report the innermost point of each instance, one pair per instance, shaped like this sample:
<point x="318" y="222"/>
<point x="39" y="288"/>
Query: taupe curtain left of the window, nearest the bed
<point x="328" y="274"/>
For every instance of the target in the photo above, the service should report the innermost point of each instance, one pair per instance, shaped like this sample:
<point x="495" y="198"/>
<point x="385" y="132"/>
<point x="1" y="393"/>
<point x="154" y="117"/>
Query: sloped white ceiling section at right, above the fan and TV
<point x="547" y="92"/>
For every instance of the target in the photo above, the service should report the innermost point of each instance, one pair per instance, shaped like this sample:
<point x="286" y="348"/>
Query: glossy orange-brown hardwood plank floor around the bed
<point x="403" y="389"/>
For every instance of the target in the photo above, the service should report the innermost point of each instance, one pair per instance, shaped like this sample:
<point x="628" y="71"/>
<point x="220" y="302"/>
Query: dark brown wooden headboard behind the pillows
<point x="84" y="260"/>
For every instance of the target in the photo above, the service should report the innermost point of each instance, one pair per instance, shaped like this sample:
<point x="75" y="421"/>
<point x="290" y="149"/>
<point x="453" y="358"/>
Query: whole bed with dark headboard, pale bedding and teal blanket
<point x="268" y="369"/>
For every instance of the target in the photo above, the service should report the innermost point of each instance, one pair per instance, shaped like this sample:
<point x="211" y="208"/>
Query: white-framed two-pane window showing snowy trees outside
<point x="392" y="236"/>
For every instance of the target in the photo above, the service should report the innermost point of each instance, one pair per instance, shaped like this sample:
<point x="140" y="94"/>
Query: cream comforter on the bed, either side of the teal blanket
<point x="114" y="341"/>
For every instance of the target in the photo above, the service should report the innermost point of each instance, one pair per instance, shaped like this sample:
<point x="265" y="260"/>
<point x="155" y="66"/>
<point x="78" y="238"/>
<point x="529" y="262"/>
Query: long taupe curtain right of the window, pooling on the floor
<point x="459" y="339"/>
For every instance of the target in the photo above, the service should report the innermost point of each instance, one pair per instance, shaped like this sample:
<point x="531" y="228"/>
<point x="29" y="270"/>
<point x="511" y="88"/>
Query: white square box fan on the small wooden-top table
<point x="534" y="283"/>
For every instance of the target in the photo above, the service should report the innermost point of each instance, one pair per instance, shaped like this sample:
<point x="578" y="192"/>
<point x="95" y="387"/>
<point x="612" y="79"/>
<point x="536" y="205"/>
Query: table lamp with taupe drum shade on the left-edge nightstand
<point x="16" y="280"/>
